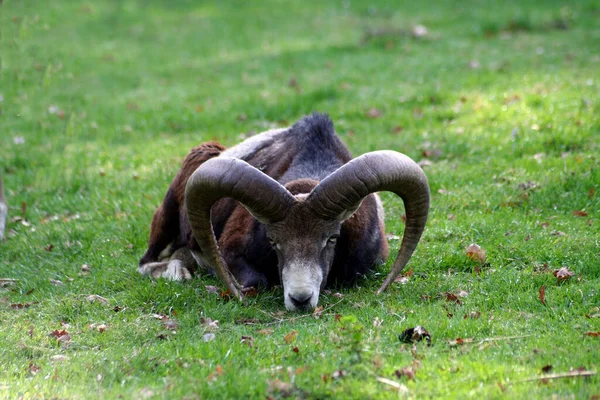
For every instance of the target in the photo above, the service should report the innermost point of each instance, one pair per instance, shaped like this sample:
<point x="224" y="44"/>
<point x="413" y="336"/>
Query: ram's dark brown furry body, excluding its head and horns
<point x="298" y="158"/>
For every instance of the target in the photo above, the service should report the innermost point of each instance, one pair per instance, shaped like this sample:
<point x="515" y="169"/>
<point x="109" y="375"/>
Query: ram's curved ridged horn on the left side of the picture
<point x="217" y="178"/>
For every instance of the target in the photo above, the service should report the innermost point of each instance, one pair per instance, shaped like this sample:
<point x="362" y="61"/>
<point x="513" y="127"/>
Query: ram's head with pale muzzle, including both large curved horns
<point x="303" y="229"/>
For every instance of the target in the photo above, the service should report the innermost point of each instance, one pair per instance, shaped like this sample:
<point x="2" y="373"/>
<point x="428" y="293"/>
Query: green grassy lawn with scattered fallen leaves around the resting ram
<point x="101" y="100"/>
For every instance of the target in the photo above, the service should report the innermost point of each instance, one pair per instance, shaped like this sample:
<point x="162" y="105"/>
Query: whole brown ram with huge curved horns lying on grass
<point x="287" y="205"/>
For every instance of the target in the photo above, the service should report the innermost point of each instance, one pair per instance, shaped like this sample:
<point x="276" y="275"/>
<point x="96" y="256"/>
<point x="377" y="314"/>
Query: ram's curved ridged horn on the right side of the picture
<point x="341" y="193"/>
